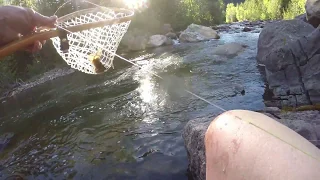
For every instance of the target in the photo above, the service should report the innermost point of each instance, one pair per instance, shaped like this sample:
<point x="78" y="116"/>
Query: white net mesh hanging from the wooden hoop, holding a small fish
<point x="88" y="47"/>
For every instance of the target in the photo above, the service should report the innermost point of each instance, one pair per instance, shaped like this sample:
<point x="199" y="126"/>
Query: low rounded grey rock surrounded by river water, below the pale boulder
<point x="229" y="49"/>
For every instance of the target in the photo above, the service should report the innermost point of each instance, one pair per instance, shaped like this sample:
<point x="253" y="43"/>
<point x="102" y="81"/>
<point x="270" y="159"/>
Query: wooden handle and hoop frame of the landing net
<point x="28" y="40"/>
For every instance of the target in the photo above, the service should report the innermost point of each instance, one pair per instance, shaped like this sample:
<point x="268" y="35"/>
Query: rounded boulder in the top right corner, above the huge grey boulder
<point x="313" y="12"/>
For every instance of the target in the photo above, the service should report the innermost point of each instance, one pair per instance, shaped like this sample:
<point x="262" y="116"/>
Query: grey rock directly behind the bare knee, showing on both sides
<point x="306" y="123"/>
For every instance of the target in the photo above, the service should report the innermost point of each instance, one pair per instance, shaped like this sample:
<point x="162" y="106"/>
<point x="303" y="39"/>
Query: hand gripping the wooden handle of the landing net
<point x="16" y="22"/>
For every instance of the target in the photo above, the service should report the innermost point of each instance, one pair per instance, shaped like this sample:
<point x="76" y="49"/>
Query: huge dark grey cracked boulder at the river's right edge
<point x="289" y="50"/>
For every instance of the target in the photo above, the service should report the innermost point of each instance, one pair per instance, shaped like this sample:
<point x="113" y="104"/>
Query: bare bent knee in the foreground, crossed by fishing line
<point x="236" y="149"/>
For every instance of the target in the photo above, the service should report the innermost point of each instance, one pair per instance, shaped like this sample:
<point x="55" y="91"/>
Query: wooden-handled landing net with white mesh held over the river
<point x="112" y="23"/>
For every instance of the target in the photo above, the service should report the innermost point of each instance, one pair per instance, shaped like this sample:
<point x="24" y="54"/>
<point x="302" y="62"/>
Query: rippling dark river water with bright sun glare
<point x="126" y="124"/>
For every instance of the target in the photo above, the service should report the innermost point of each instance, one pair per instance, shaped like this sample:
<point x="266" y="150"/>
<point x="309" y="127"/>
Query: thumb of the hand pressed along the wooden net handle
<point x="41" y="20"/>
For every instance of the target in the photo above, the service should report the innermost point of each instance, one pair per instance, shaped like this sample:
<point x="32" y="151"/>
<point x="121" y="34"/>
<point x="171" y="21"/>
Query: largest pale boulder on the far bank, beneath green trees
<point x="196" y="33"/>
